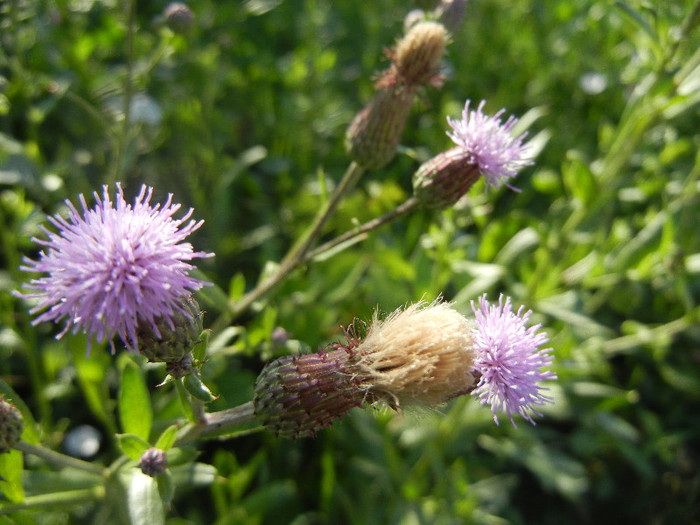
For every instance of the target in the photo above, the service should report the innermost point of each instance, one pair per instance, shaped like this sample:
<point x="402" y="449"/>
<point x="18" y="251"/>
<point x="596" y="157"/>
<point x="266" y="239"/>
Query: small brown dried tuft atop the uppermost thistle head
<point x="417" y="55"/>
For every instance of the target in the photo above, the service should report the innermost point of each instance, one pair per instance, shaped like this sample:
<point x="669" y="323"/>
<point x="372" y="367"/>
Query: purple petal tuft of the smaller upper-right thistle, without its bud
<point x="489" y="145"/>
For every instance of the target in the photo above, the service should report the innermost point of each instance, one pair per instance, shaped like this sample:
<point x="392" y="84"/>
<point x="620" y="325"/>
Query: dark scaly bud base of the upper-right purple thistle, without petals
<point x="441" y="181"/>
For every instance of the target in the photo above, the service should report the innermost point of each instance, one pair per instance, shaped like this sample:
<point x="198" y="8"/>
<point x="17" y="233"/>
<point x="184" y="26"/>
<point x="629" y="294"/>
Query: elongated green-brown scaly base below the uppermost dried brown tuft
<point x="374" y="134"/>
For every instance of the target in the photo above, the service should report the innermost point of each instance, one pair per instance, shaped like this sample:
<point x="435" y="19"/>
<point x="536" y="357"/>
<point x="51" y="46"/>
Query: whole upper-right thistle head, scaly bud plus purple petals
<point x="484" y="147"/>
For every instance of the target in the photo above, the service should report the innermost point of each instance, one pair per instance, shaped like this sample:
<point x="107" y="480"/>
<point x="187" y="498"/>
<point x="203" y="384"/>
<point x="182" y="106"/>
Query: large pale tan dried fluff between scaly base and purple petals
<point x="422" y="355"/>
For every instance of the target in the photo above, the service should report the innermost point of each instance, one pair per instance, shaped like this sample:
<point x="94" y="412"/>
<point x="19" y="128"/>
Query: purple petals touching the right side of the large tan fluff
<point x="510" y="360"/>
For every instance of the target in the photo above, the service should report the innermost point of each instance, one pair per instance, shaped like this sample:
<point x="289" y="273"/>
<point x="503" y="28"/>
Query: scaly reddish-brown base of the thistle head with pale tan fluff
<point x="295" y="396"/>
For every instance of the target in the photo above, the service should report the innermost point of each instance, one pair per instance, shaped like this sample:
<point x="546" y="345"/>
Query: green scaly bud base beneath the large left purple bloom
<point x="170" y="340"/>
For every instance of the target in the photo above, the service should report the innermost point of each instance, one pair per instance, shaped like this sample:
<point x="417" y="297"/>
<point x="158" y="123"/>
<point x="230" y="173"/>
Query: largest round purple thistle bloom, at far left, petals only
<point x="114" y="267"/>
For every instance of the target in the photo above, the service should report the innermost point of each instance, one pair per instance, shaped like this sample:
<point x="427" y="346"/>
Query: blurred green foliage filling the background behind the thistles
<point x="243" y="116"/>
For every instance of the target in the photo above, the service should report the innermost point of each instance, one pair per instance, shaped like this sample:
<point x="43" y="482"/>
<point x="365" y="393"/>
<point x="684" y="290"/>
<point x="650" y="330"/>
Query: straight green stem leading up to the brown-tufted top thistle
<point x="298" y="253"/>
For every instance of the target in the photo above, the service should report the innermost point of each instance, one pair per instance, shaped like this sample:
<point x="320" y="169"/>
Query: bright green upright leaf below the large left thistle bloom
<point x="135" y="409"/>
